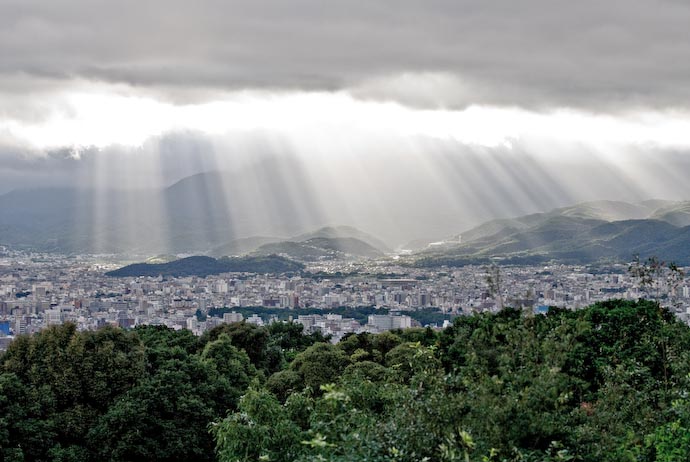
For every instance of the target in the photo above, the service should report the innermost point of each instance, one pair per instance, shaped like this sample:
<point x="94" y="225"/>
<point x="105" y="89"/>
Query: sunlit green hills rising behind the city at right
<point x="578" y="234"/>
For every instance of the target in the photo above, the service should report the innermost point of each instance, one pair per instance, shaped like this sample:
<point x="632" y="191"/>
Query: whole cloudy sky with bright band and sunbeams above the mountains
<point x="552" y="101"/>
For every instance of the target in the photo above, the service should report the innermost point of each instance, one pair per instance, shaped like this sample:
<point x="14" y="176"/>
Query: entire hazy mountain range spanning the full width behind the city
<point x="272" y="212"/>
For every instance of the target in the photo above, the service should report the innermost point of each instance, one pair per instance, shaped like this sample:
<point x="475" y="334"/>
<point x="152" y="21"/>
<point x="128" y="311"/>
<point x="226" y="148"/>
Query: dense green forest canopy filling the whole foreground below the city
<point x="606" y="383"/>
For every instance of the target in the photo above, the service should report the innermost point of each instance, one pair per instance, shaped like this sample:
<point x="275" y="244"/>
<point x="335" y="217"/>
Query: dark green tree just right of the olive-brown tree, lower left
<point x="165" y="417"/>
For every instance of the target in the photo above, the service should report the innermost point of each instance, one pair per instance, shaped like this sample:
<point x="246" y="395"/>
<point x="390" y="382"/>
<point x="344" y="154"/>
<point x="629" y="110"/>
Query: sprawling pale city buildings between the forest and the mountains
<point x="38" y="290"/>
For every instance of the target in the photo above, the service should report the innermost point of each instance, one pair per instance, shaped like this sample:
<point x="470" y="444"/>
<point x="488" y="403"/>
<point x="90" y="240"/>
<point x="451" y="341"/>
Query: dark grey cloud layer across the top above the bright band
<point x="612" y="55"/>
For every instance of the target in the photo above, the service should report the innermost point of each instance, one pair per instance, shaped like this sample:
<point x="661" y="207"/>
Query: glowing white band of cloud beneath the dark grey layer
<point x="104" y="116"/>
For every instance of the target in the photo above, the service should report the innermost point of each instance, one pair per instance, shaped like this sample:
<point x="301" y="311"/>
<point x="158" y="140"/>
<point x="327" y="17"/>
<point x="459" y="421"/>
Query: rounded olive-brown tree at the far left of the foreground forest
<point x="68" y="379"/>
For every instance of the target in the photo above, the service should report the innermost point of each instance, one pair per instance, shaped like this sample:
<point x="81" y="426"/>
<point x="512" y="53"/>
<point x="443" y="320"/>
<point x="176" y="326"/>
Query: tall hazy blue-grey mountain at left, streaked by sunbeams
<point x="215" y="213"/>
